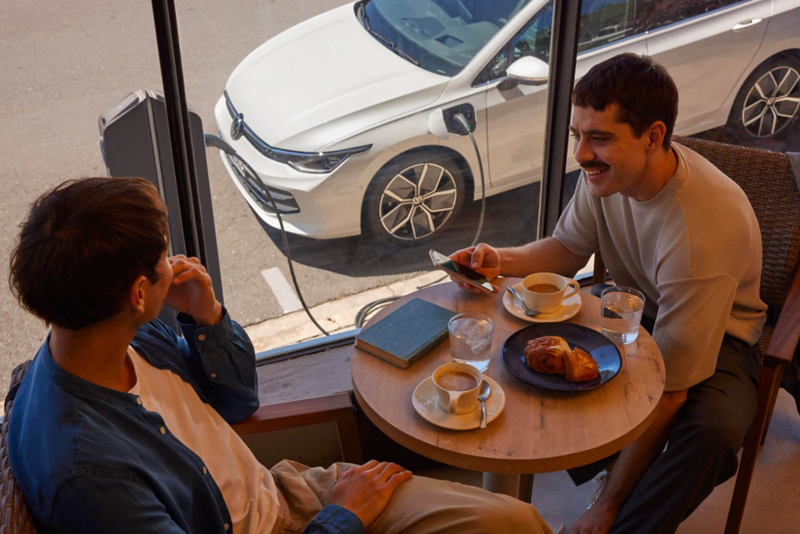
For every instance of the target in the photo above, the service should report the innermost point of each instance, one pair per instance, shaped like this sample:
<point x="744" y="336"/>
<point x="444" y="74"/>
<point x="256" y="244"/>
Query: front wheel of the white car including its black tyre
<point x="412" y="198"/>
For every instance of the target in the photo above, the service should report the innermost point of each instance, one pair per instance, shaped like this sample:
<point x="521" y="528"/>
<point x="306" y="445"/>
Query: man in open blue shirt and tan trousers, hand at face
<point x="122" y="426"/>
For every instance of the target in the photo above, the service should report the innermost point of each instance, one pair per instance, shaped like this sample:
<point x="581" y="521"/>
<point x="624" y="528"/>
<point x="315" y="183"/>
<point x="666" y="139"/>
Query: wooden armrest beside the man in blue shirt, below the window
<point x="332" y="408"/>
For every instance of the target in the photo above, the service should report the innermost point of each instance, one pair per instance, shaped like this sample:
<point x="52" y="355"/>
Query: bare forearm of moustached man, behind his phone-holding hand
<point x="546" y="255"/>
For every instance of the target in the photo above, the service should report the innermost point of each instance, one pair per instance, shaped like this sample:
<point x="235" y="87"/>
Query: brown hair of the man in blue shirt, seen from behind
<point x="83" y="245"/>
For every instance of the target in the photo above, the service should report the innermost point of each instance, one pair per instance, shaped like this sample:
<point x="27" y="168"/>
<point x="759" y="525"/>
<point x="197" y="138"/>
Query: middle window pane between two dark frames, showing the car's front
<point x="339" y="108"/>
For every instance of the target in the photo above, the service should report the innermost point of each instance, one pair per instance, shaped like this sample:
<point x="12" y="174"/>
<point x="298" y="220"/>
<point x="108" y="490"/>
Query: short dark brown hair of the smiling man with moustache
<point x="643" y="90"/>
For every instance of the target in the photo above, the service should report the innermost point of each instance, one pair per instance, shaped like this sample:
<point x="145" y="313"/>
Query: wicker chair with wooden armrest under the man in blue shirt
<point x="16" y="519"/>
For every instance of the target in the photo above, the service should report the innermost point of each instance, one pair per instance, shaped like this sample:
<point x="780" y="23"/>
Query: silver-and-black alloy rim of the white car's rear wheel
<point x="772" y="102"/>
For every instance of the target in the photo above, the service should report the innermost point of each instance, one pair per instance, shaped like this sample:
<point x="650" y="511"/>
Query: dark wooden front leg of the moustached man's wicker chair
<point x="767" y="383"/>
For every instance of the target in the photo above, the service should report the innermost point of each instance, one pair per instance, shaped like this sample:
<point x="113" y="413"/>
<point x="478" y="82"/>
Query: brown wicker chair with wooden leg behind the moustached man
<point x="771" y="187"/>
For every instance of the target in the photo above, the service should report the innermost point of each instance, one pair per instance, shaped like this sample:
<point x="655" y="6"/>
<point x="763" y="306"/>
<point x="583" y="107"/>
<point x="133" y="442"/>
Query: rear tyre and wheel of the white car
<point x="768" y="102"/>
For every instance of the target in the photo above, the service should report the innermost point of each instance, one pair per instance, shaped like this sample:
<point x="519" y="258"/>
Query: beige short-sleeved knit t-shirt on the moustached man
<point x="694" y="250"/>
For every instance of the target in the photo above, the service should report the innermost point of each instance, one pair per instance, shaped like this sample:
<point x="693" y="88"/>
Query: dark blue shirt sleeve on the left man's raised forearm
<point x="223" y="362"/>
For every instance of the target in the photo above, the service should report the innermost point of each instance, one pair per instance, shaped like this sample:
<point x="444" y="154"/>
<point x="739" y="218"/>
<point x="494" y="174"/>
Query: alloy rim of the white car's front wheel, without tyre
<point x="418" y="201"/>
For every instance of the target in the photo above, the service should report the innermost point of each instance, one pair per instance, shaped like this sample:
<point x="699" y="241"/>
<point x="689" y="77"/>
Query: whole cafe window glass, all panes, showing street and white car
<point x="315" y="88"/>
